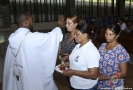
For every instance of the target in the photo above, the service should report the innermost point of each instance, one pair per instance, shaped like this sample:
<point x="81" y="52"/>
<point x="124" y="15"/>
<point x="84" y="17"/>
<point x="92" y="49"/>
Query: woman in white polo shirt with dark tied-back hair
<point x="84" y="60"/>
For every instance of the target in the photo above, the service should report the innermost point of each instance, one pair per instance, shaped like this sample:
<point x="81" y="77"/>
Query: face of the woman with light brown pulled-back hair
<point x="70" y="25"/>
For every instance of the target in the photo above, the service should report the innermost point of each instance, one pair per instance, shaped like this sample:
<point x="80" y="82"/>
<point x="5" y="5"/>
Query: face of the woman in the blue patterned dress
<point x="110" y="36"/>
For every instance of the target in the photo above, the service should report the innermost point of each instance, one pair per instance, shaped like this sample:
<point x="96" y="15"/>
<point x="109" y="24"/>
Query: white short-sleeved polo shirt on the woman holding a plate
<point x="81" y="59"/>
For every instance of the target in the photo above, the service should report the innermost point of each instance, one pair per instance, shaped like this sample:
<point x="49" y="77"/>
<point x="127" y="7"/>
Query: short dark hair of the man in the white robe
<point x="21" y="16"/>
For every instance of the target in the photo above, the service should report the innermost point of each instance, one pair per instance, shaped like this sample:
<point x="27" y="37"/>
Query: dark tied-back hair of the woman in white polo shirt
<point x="85" y="28"/>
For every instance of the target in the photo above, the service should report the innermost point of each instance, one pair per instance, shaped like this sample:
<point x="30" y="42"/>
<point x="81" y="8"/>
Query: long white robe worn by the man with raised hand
<point x="37" y="56"/>
